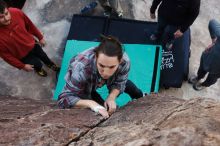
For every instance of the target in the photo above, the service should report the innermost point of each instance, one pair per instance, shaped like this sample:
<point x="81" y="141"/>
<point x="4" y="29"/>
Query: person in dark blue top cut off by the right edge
<point x="209" y="62"/>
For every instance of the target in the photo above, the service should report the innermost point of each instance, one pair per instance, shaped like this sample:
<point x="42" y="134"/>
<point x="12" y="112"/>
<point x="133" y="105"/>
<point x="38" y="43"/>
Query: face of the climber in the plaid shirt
<point x="107" y="65"/>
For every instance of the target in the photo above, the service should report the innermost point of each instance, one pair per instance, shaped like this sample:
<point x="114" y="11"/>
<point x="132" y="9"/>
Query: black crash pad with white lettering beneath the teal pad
<point x="174" y="68"/>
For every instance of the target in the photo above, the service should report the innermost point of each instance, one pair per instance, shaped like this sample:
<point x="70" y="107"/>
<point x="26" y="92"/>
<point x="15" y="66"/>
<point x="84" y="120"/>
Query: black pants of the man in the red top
<point x="35" y="56"/>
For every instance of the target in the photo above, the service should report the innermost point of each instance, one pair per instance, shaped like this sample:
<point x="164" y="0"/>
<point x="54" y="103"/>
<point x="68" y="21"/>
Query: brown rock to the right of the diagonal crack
<point x="159" y="121"/>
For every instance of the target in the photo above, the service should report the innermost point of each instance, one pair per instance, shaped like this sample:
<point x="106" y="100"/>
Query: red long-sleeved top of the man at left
<point x="17" y="38"/>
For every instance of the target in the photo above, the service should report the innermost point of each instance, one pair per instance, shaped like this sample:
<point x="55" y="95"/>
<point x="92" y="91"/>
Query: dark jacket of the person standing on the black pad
<point x="181" y="13"/>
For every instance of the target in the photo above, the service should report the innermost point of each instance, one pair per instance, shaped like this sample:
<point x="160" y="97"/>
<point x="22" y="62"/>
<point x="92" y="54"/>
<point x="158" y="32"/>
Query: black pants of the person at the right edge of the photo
<point x="210" y="80"/>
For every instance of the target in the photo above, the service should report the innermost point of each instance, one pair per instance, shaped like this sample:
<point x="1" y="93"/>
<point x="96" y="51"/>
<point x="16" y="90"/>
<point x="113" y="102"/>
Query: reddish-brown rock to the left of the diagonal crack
<point x="29" y="122"/>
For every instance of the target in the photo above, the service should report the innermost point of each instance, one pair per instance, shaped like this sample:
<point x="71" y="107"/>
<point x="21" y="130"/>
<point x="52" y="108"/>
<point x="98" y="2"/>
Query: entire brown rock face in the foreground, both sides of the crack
<point x="153" y="120"/>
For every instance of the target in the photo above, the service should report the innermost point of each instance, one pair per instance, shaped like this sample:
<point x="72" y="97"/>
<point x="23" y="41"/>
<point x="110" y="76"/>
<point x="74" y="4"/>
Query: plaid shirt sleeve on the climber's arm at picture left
<point x="74" y="87"/>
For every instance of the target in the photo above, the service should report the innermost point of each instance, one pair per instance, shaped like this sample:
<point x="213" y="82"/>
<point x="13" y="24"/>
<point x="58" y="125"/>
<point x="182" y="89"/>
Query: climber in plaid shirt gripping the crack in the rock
<point x="107" y="65"/>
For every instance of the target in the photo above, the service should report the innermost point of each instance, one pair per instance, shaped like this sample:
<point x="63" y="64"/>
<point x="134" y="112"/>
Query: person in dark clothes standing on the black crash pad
<point x="174" y="15"/>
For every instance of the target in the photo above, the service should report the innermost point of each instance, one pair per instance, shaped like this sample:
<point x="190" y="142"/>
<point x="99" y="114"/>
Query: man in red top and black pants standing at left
<point x="21" y="42"/>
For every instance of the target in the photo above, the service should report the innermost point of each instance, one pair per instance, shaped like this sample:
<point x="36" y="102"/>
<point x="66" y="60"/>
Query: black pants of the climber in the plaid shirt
<point x="131" y="89"/>
